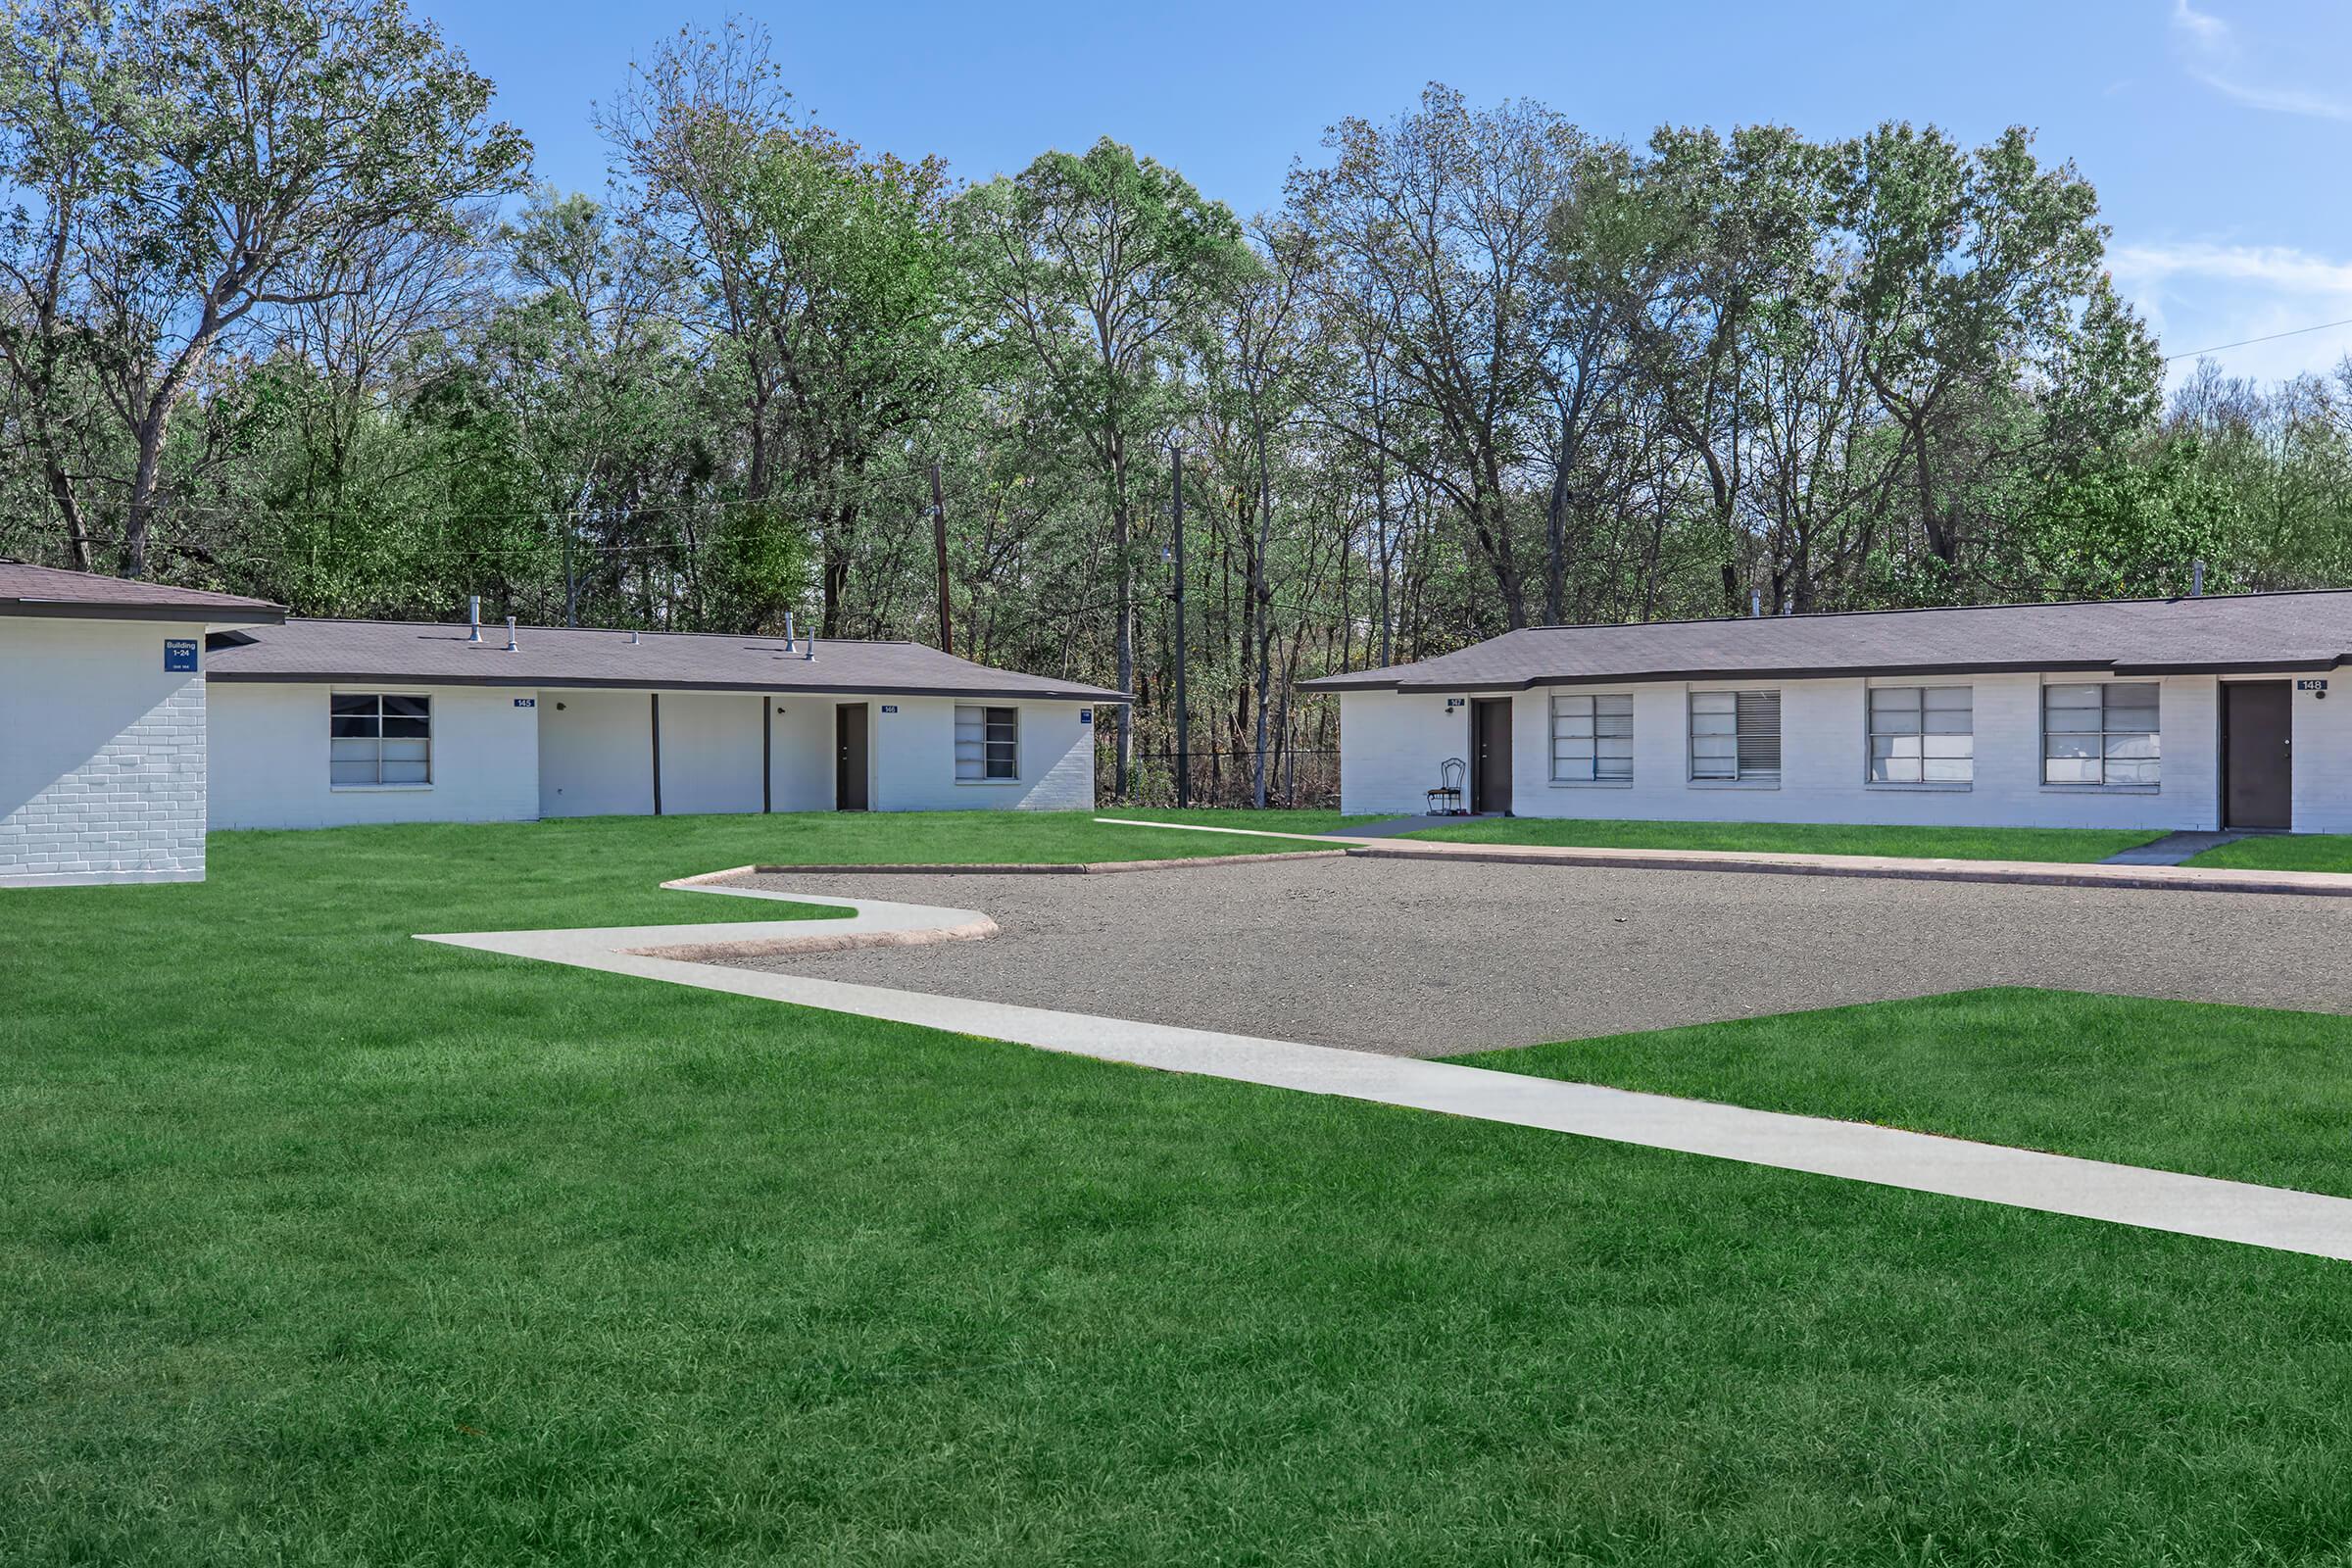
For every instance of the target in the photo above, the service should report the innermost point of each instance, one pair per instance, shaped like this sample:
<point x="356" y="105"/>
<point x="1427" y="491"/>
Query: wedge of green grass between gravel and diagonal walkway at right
<point x="2233" y="1092"/>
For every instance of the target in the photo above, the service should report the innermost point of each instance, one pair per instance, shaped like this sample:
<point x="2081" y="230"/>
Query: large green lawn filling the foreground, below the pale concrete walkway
<point x="330" y="1247"/>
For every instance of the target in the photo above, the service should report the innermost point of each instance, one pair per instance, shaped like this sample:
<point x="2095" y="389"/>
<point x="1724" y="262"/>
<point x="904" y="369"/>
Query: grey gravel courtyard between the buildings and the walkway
<point x="1422" y="958"/>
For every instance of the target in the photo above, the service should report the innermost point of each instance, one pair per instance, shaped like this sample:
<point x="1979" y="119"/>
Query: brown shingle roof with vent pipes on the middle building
<point x="570" y="657"/>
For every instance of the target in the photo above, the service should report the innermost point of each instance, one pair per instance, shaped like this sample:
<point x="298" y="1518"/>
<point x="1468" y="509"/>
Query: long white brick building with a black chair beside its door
<point x="2139" y="713"/>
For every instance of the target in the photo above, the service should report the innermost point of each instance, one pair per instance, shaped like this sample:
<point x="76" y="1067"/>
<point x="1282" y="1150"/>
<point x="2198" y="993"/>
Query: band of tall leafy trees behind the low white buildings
<point x="1483" y="368"/>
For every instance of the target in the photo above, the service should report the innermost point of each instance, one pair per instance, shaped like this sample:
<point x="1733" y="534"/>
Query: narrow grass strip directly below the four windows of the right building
<point x="1803" y="838"/>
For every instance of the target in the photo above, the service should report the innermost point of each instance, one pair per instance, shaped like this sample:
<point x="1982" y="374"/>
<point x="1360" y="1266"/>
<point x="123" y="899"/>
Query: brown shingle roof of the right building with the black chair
<point x="2266" y="631"/>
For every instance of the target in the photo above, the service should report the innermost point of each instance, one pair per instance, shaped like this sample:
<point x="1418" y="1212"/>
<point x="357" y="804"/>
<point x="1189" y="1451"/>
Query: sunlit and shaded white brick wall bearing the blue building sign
<point x="102" y="768"/>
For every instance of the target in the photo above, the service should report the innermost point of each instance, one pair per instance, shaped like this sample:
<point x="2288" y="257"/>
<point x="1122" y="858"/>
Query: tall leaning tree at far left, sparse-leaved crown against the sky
<point x="272" y="142"/>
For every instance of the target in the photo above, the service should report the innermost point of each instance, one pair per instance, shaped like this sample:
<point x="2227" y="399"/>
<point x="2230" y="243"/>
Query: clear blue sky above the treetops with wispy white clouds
<point x="2219" y="133"/>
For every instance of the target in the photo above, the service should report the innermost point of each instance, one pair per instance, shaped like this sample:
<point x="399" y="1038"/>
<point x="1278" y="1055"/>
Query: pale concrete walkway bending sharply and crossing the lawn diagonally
<point x="1953" y="1167"/>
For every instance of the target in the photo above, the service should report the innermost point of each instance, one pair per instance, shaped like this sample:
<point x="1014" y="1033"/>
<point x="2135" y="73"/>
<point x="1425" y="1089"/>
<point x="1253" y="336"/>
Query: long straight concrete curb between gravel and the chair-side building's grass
<point x="2031" y="873"/>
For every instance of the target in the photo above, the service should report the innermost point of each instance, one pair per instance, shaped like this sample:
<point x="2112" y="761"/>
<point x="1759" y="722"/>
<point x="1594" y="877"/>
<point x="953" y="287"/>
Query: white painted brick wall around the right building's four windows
<point x="1391" y="749"/>
